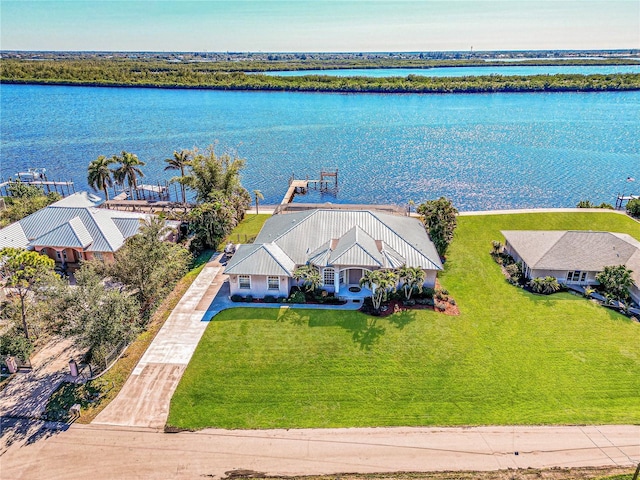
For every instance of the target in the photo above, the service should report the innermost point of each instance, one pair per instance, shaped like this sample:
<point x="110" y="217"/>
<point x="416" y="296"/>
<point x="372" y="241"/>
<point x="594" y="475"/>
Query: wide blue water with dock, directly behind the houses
<point x="484" y="151"/>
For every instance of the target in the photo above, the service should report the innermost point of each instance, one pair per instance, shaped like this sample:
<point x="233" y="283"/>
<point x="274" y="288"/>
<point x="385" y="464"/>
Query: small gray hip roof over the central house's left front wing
<point x="260" y="259"/>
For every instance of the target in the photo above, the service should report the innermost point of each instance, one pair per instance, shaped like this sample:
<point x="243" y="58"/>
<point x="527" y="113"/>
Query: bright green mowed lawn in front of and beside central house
<point x="509" y="358"/>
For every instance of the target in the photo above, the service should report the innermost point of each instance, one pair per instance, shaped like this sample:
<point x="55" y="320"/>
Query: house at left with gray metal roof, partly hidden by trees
<point x="74" y="229"/>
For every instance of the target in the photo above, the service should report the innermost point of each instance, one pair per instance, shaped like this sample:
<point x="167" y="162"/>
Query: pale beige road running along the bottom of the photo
<point x="102" y="452"/>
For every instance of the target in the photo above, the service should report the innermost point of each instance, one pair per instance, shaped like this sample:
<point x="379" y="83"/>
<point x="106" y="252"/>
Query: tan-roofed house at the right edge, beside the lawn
<point x="574" y="257"/>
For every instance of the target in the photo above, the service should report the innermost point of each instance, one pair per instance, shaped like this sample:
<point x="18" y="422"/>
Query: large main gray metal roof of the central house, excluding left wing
<point x="305" y="236"/>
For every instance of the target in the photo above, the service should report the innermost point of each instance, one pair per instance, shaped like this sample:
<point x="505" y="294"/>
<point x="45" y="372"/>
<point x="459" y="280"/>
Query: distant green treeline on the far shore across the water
<point x="159" y="74"/>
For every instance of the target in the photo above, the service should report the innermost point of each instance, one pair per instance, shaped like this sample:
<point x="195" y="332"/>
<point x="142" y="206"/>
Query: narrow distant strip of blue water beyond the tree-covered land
<point x="467" y="71"/>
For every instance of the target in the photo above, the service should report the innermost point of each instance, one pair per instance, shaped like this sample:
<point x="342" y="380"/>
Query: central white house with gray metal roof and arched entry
<point x="343" y="244"/>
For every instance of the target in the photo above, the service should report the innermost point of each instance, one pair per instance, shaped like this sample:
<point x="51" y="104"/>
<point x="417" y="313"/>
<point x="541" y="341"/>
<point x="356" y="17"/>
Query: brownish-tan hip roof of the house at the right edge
<point x="573" y="249"/>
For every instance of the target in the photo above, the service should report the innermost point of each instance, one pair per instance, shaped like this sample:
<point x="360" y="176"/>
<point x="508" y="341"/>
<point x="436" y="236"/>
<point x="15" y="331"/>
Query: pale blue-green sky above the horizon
<point x="318" y="25"/>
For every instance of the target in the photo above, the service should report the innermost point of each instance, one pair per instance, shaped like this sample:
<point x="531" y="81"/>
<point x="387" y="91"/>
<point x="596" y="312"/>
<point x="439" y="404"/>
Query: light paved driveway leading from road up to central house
<point x="145" y="397"/>
